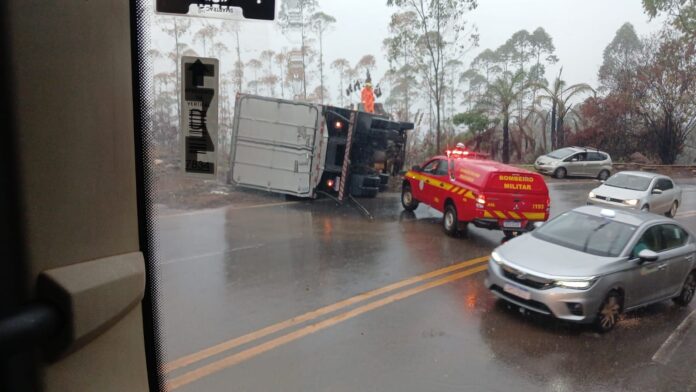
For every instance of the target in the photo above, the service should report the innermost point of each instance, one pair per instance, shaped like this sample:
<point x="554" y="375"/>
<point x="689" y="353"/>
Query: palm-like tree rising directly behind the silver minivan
<point x="560" y="95"/>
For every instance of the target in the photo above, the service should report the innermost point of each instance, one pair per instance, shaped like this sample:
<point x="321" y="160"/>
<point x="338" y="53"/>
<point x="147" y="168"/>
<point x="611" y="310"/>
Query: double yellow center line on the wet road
<point x="477" y="265"/>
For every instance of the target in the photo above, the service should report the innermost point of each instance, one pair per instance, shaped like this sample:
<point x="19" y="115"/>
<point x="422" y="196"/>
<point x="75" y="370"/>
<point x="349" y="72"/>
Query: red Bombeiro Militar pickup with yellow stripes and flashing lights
<point x="486" y="193"/>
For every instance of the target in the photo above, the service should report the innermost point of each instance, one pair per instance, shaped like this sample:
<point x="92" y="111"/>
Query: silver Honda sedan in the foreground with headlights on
<point x="590" y="264"/>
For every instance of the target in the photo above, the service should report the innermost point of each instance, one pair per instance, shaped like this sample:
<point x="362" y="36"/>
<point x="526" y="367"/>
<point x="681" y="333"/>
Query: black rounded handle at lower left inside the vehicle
<point x="32" y="326"/>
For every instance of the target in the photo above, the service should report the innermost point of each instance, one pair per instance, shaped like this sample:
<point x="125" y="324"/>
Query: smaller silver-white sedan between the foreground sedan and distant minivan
<point x="639" y="190"/>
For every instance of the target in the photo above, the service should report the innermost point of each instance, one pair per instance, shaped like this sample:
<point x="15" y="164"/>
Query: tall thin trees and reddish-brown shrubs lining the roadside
<point x="501" y="101"/>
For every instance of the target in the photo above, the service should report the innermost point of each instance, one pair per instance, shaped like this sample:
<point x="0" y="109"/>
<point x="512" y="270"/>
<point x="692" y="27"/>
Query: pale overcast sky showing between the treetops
<point x="580" y="29"/>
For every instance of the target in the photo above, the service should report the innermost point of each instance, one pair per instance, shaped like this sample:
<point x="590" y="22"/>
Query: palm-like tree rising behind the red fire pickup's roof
<point x="501" y="96"/>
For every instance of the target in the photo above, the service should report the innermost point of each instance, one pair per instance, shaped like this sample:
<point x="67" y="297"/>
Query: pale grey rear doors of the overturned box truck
<point x="277" y="145"/>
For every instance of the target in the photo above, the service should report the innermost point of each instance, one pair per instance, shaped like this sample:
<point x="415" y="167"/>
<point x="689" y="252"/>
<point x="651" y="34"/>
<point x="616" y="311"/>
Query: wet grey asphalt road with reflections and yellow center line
<point x="230" y="273"/>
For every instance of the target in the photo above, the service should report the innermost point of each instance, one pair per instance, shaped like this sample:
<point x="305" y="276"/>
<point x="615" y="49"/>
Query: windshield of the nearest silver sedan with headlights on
<point x="587" y="233"/>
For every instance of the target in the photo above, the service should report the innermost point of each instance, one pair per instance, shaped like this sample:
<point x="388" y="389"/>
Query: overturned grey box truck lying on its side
<point x="303" y="149"/>
